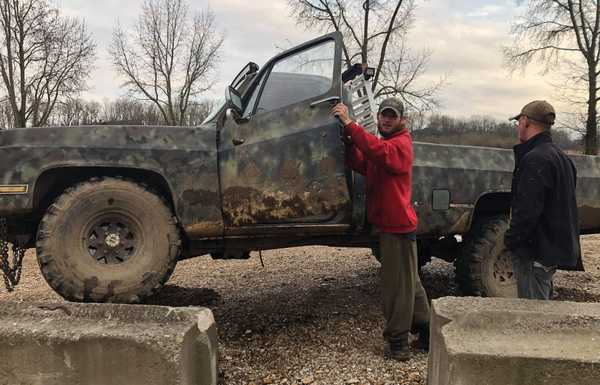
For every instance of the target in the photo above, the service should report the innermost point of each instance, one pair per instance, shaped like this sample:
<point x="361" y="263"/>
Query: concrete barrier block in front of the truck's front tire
<point x="69" y="344"/>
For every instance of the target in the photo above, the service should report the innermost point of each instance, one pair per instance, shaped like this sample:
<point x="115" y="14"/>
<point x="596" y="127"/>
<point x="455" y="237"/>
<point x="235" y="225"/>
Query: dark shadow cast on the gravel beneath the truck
<point x="318" y="302"/>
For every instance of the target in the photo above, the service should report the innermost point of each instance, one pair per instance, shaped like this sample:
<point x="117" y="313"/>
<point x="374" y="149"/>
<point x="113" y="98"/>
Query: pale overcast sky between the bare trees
<point x="465" y="37"/>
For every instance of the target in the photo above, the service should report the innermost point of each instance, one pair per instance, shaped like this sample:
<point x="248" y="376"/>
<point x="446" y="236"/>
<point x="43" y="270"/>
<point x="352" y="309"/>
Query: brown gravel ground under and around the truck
<point x="311" y="315"/>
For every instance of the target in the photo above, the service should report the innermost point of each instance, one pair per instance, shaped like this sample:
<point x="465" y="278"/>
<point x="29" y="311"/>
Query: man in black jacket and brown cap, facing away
<point x="544" y="228"/>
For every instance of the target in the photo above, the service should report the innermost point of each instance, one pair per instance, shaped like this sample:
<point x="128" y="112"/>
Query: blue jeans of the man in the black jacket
<point x="534" y="280"/>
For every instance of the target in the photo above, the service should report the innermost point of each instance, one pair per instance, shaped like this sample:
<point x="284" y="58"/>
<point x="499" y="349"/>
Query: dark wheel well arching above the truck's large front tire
<point x="52" y="183"/>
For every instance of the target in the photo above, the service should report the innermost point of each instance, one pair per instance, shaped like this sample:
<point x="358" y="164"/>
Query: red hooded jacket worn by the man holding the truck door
<point x="387" y="165"/>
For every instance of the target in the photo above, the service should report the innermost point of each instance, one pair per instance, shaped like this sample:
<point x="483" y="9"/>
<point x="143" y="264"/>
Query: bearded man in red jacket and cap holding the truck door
<point x="387" y="164"/>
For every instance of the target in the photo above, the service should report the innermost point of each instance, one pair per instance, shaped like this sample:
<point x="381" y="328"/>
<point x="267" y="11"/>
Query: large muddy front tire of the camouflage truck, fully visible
<point x="75" y="273"/>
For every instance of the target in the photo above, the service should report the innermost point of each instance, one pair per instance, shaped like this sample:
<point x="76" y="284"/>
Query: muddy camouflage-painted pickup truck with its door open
<point x="111" y="209"/>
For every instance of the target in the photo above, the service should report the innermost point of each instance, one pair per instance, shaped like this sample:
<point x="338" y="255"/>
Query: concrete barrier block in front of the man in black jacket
<point x="500" y="341"/>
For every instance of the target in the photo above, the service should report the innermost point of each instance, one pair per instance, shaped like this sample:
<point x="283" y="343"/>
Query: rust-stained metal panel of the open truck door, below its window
<point x="283" y="172"/>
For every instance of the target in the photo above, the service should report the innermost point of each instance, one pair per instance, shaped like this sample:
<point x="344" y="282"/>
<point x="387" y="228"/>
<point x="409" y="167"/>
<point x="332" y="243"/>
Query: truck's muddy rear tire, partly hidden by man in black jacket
<point x="485" y="268"/>
